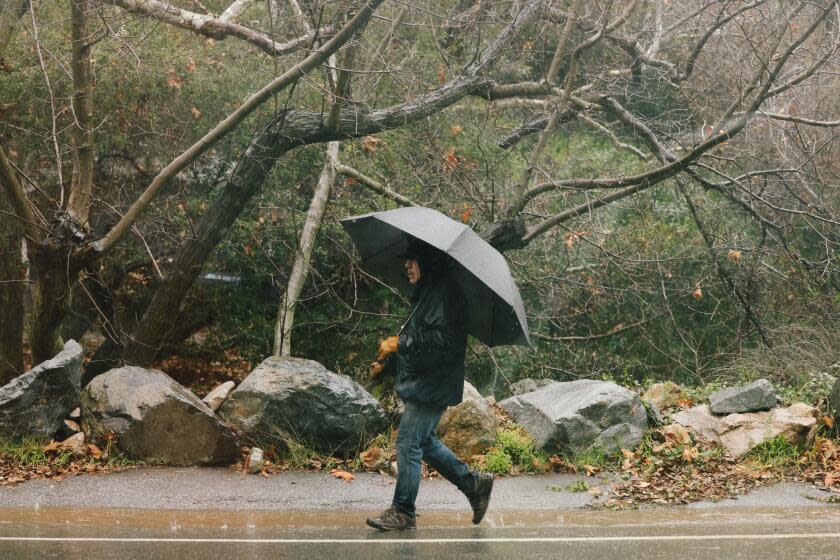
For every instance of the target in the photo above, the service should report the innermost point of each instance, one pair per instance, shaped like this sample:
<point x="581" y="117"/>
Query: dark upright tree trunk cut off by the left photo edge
<point x="12" y="292"/>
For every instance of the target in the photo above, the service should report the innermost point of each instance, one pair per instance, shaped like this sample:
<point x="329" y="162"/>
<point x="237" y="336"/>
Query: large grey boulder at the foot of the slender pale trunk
<point x="300" y="399"/>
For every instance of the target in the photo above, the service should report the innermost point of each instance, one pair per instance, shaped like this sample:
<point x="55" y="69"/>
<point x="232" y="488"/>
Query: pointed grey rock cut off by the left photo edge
<point x="37" y="402"/>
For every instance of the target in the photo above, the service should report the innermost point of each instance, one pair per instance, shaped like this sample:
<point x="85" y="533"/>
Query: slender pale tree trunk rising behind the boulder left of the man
<point x="300" y="268"/>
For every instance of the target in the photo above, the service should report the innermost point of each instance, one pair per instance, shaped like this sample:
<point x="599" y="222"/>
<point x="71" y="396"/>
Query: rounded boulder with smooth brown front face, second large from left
<point x="155" y="419"/>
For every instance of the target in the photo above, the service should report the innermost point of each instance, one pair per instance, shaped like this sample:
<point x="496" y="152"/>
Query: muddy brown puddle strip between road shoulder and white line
<point x="263" y="524"/>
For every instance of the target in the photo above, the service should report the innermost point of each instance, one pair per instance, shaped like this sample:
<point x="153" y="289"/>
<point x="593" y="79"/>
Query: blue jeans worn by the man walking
<point x="416" y="440"/>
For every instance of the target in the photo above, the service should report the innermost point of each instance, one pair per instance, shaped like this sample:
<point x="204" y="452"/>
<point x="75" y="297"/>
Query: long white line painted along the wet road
<point x="640" y="538"/>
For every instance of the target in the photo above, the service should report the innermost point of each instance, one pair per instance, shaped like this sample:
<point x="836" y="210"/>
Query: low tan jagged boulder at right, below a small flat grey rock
<point x="739" y="433"/>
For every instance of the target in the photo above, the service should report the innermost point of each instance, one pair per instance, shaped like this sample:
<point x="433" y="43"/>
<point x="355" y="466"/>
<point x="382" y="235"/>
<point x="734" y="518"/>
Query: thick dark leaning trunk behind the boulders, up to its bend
<point x="247" y="179"/>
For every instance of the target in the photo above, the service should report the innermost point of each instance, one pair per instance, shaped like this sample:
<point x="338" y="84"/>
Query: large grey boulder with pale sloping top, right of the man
<point x="581" y="415"/>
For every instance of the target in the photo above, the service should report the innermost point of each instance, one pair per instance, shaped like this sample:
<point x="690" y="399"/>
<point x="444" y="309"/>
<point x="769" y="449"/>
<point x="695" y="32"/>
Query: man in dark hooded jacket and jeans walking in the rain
<point x="428" y="356"/>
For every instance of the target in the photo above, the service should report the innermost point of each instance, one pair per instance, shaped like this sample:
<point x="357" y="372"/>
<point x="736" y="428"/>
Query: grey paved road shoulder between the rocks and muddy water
<point x="226" y="489"/>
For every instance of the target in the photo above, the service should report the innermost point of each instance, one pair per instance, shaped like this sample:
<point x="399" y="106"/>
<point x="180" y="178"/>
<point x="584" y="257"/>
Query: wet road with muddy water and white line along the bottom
<point x="722" y="533"/>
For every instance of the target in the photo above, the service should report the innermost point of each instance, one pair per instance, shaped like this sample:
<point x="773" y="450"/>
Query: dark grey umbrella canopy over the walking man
<point x="497" y="316"/>
